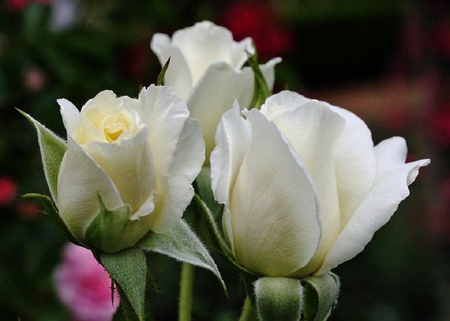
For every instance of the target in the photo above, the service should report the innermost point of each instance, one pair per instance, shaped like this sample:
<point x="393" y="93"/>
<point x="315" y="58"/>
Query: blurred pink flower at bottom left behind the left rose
<point x="84" y="286"/>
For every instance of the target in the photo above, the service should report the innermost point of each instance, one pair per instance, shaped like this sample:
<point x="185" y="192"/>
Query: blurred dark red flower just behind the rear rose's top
<point x="258" y="20"/>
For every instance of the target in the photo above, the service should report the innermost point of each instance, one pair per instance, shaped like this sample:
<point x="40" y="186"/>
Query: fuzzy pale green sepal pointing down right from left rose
<point x="182" y="244"/>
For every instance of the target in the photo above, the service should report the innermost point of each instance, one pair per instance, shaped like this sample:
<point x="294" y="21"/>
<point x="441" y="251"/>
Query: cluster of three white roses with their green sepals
<point x="302" y="184"/>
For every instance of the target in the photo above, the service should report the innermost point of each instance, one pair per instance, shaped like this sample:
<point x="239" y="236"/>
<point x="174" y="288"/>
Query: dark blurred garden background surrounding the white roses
<point x="387" y="60"/>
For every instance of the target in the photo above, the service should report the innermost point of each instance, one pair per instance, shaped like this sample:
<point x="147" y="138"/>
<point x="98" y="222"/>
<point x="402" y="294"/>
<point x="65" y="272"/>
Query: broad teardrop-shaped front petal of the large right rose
<point x="255" y="235"/>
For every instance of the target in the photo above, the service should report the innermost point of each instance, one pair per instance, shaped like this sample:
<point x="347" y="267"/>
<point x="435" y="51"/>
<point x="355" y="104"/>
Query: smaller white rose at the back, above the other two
<point x="206" y="71"/>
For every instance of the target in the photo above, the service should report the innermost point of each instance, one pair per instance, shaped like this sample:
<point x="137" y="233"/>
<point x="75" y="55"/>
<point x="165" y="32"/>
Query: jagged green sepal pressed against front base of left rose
<point x="107" y="230"/>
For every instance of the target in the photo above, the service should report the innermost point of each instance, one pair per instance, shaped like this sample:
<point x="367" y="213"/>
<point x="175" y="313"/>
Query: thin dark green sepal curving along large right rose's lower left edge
<point x="216" y="236"/>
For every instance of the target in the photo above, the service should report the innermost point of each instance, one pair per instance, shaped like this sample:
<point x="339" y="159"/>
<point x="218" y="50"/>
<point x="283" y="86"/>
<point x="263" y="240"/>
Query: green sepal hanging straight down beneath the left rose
<point x="128" y="269"/>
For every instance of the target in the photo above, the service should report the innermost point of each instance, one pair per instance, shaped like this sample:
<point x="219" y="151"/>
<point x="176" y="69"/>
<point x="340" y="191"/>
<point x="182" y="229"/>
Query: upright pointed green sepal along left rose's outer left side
<point x="52" y="150"/>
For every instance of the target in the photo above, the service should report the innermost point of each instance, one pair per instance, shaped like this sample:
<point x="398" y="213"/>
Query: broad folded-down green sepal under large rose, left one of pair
<point x="278" y="298"/>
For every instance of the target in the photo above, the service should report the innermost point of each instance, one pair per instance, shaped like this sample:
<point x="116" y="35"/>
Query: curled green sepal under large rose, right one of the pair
<point x="321" y="294"/>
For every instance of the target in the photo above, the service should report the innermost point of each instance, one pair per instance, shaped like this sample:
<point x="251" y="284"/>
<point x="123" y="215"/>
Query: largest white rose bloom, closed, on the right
<point x="304" y="187"/>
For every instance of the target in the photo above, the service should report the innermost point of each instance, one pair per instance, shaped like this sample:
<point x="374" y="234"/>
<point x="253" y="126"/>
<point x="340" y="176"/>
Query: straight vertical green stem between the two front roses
<point x="186" y="287"/>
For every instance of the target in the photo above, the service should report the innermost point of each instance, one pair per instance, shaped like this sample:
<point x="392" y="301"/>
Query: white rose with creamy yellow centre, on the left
<point x="137" y="157"/>
